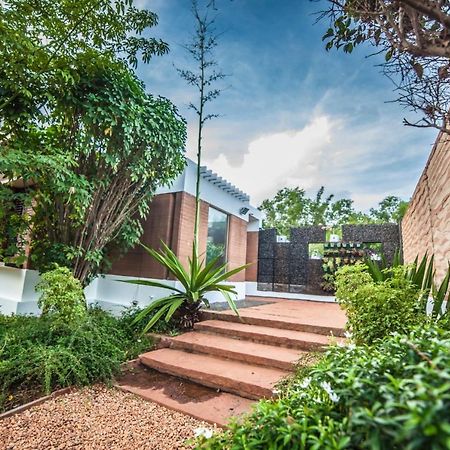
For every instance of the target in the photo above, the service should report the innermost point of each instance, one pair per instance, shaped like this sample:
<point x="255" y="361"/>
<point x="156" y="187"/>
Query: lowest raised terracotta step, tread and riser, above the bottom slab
<point x="245" y="380"/>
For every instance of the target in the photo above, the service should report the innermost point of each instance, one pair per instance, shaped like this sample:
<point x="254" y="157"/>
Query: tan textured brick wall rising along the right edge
<point x="426" y="225"/>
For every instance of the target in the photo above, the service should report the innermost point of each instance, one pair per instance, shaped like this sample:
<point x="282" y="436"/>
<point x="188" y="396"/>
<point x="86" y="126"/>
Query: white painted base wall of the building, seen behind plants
<point x="111" y="292"/>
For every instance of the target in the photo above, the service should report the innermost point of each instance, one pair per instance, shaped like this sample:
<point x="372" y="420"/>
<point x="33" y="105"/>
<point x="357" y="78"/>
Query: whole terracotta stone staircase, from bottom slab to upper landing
<point x="241" y="358"/>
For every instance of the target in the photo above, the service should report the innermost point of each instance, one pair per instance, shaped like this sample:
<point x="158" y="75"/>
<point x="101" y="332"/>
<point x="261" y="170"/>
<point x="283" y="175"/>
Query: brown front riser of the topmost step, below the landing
<point x="272" y="323"/>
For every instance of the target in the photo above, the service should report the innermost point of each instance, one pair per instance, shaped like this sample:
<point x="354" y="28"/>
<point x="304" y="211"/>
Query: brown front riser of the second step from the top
<point x="261" y="338"/>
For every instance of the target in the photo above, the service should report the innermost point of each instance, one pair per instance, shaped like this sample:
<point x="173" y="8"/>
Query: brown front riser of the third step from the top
<point x="222" y="353"/>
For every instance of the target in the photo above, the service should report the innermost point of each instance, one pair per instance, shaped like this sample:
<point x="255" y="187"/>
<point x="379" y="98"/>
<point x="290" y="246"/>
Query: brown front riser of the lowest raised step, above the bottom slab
<point x="245" y="390"/>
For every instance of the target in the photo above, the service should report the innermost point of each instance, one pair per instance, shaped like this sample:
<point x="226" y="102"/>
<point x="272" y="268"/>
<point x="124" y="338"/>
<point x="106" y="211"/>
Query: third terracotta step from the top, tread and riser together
<point x="240" y="350"/>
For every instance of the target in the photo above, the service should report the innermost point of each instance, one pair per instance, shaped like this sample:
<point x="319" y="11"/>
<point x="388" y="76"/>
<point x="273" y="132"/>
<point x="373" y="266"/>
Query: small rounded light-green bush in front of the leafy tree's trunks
<point x="62" y="296"/>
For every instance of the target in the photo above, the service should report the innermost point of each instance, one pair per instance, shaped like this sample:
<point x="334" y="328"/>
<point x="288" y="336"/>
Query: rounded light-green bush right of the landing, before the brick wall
<point x="377" y="309"/>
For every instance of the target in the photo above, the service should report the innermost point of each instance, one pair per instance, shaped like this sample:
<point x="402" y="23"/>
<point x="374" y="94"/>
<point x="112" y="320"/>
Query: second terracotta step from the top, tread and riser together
<point x="267" y="335"/>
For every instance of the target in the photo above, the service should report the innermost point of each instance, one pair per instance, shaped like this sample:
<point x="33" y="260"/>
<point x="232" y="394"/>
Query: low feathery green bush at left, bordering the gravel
<point x="38" y="356"/>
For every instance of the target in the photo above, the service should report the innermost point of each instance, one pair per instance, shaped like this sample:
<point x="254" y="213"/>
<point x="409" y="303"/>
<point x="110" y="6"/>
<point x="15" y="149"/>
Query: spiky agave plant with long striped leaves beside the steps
<point x="199" y="279"/>
